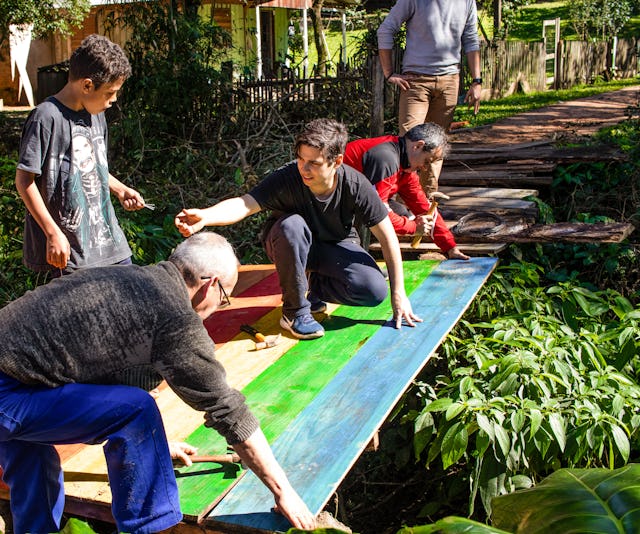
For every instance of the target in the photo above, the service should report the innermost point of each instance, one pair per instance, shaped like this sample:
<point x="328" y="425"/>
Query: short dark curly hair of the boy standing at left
<point x="100" y="60"/>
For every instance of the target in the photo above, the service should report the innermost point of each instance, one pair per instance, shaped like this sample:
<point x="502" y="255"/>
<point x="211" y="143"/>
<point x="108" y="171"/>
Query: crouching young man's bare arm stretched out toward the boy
<point x="190" y="221"/>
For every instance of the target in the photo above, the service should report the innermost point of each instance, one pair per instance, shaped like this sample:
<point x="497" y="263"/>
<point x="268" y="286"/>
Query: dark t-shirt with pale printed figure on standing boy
<point x="67" y="152"/>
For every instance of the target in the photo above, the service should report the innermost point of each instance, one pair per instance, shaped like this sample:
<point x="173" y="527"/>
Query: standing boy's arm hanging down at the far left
<point x="58" y="248"/>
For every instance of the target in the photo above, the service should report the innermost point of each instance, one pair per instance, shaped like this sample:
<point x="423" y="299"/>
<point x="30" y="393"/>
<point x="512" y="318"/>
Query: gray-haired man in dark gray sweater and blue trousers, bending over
<point x="63" y="347"/>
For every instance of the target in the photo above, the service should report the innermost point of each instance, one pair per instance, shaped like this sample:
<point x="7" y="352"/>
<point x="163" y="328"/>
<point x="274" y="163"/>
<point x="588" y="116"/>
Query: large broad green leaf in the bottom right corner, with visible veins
<point x="574" y="500"/>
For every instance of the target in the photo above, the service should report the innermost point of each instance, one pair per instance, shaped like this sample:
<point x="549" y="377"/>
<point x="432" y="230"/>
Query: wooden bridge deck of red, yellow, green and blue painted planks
<point x="319" y="402"/>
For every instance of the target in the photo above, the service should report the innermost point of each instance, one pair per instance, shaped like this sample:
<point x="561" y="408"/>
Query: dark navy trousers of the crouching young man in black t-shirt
<point x="341" y="272"/>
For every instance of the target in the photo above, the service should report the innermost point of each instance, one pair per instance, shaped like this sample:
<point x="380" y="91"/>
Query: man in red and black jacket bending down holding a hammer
<point x="391" y="164"/>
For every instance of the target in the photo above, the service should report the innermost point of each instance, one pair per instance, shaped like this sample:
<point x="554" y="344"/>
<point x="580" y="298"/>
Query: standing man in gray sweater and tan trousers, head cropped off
<point x="436" y="32"/>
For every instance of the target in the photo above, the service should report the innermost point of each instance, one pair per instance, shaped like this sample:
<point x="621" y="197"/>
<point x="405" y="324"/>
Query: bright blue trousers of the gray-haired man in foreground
<point x="126" y="419"/>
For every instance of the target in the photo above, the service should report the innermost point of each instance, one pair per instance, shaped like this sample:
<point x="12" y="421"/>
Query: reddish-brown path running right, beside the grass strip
<point x="564" y="121"/>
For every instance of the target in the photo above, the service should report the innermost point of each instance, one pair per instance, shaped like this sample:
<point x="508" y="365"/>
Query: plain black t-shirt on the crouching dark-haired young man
<point x="330" y="220"/>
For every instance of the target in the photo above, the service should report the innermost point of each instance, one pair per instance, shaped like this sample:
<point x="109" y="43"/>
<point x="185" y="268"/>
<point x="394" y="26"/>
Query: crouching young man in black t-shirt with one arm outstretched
<point x="315" y="201"/>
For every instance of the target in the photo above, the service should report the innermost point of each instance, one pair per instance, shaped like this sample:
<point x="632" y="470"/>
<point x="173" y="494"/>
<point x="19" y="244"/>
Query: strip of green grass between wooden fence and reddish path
<point x="494" y="110"/>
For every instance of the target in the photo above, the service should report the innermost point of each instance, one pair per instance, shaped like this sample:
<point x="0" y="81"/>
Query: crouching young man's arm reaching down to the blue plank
<point x="388" y="240"/>
